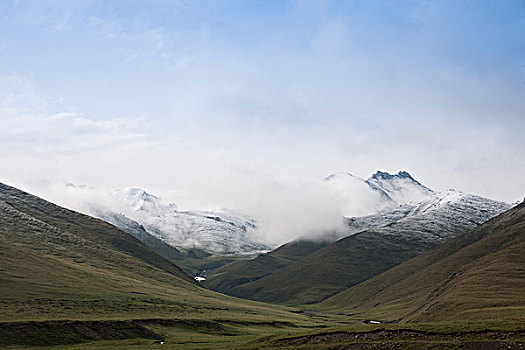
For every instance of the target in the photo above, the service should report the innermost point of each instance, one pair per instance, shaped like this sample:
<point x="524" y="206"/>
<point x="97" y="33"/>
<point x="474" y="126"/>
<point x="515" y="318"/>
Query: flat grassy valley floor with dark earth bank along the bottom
<point x="198" y="334"/>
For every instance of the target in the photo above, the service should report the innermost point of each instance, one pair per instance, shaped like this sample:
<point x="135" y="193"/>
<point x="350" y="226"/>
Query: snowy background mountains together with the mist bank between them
<point x="340" y="205"/>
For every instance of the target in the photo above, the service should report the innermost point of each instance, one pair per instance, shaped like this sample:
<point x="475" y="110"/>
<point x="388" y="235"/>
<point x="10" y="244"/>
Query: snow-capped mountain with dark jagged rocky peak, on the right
<point x="399" y="199"/>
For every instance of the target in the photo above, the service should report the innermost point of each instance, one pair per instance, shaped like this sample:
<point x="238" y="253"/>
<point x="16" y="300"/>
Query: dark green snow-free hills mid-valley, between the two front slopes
<point x="320" y="272"/>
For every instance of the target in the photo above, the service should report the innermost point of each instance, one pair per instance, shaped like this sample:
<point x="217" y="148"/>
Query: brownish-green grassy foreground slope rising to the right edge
<point x="478" y="275"/>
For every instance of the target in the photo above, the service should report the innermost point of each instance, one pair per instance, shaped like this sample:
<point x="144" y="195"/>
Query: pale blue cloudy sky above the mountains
<point x="246" y="104"/>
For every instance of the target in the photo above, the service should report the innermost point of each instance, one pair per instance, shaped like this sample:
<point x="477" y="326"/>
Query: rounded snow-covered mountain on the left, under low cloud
<point x="224" y="232"/>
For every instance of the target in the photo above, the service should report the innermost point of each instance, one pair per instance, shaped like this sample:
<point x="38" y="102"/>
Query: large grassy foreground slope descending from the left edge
<point x="62" y="265"/>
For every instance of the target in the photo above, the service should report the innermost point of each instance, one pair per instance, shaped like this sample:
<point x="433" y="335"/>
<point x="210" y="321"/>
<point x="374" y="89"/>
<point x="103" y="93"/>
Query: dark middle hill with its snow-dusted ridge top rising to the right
<point x="380" y="242"/>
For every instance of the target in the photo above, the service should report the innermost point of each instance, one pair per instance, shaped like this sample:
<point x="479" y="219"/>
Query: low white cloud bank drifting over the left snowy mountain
<point x="42" y="151"/>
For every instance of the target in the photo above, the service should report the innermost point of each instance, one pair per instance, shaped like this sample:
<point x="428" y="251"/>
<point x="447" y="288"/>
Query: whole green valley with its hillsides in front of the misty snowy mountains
<point x="431" y="278"/>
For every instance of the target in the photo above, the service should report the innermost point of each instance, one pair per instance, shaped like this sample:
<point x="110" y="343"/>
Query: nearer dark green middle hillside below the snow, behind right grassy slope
<point x="332" y="269"/>
